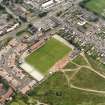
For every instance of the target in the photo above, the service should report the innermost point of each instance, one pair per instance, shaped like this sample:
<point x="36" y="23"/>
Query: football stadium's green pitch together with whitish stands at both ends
<point x="42" y="59"/>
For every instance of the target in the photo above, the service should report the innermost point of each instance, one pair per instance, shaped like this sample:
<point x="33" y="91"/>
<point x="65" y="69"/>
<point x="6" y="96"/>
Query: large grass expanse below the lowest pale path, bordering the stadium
<point x="55" y="91"/>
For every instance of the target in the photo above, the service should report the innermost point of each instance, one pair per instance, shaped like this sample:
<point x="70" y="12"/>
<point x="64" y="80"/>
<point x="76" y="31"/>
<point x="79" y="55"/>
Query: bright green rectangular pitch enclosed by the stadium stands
<point x="46" y="56"/>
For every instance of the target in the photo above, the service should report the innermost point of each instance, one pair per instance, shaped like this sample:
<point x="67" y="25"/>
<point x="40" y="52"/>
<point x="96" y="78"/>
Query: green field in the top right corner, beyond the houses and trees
<point x="96" y="6"/>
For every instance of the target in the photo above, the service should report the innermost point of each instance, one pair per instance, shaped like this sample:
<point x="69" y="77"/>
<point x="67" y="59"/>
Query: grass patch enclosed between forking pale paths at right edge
<point x="86" y="78"/>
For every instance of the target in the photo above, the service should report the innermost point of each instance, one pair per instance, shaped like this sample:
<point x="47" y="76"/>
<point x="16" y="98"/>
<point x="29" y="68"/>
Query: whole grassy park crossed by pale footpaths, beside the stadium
<point x="81" y="82"/>
